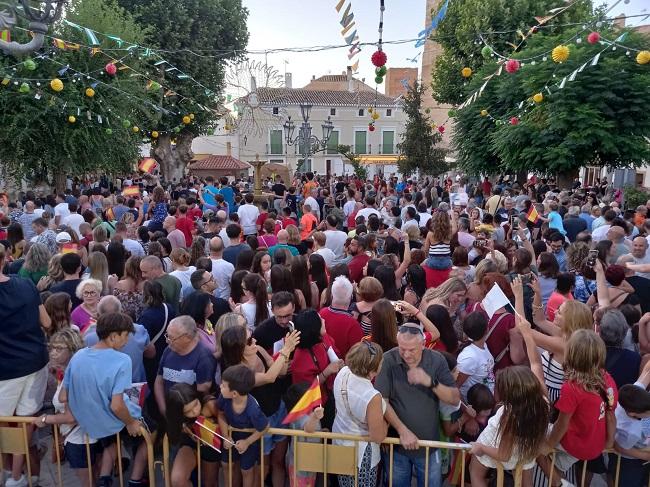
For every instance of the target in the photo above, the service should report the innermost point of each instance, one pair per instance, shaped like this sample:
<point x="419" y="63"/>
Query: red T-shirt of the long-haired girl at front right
<point x="585" y="438"/>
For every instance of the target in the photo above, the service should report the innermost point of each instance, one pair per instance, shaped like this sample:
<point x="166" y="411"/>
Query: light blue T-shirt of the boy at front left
<point x="92" y="378"/>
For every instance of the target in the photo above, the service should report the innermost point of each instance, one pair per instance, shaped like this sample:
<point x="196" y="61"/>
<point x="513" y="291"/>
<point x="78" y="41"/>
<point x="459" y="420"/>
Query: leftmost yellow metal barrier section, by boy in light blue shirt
<point x="14" y="440"/>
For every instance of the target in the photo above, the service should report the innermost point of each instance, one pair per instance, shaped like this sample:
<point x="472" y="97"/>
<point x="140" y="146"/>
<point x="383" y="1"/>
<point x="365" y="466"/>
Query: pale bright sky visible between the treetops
<point x="301" y="23"/>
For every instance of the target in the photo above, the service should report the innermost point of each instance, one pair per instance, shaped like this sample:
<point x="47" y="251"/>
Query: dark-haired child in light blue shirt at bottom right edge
<point x="631" y="434"/>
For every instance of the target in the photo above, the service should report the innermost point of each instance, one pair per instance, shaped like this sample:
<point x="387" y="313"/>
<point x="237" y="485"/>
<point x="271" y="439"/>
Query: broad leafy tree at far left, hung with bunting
<point x="38" y="140"/>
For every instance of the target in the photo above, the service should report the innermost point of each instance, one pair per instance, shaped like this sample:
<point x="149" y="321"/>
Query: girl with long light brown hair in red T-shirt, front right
<point x="586" y="423"/>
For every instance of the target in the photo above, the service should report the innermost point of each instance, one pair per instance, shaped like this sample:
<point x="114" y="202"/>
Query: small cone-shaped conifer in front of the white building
<point x="418" y="151"/>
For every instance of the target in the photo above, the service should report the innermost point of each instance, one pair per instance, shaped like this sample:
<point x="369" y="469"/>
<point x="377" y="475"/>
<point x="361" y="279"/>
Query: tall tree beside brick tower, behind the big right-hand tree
<point x="458" y="32"/>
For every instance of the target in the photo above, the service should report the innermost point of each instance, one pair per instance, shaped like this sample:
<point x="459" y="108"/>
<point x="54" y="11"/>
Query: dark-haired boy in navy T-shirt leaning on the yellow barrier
<point x="240" y="410"/>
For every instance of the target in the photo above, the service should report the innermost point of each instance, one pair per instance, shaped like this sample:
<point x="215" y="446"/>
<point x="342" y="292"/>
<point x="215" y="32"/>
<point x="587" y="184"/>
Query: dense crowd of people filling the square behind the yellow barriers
<point x="196" y="302"/>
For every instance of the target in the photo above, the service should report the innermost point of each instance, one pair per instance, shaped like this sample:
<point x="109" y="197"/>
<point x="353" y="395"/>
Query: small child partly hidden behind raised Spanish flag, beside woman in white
<point x="308" y="424"/>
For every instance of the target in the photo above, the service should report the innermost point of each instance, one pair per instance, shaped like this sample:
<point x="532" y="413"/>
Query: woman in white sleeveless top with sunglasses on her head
<point x="360" y="409"/>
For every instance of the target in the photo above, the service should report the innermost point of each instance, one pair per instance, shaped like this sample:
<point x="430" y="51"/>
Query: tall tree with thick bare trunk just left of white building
<point x="198" y="37"/>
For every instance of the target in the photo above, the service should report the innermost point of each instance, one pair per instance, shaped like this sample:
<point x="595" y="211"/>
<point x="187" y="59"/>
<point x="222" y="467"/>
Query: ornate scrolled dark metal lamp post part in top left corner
<point x="40" y="15"/>
